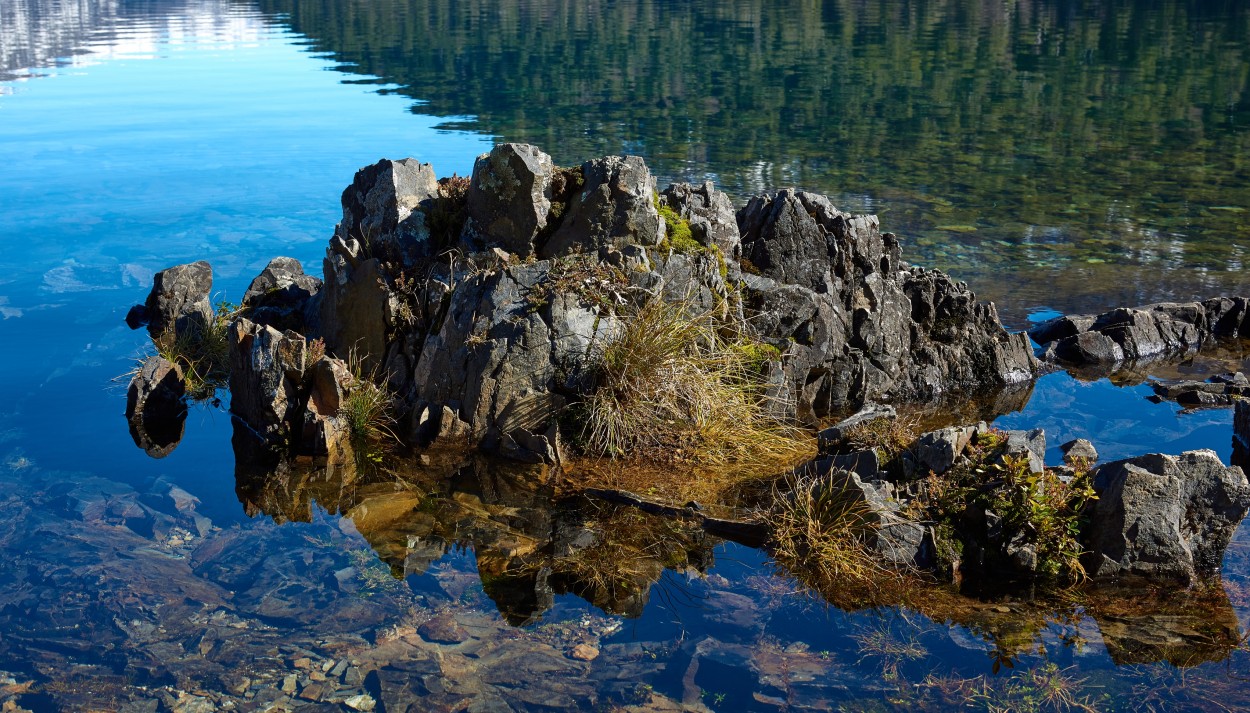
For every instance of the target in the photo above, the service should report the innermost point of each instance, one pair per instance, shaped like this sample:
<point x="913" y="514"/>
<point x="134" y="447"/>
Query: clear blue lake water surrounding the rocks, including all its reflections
<point x="1059" y="158"/>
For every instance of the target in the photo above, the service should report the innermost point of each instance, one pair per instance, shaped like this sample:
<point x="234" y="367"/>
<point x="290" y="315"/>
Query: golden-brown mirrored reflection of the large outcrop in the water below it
<point x="528" y="544"/>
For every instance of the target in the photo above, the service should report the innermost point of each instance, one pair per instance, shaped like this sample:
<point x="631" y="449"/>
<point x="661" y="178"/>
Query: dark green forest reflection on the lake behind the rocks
<point x="1053" y="153"/>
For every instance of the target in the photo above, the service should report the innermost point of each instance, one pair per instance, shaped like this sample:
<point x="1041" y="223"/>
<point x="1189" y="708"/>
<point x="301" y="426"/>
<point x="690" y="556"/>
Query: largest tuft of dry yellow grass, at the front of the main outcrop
<point x="669" y="385"/>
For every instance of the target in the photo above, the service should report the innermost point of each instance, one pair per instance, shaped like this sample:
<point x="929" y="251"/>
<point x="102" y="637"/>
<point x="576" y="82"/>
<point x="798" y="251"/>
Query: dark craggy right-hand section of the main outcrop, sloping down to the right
<point x="854" y="323"/>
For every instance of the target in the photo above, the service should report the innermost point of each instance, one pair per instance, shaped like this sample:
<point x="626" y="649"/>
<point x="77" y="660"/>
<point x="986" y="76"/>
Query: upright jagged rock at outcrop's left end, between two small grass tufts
<point x="267" y="368"/>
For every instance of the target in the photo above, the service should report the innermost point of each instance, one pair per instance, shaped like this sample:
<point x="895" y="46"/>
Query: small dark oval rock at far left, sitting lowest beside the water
<point x="154" y="407"/>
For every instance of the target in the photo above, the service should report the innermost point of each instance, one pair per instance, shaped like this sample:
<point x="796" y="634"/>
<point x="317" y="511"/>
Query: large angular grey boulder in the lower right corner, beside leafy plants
<point x="1163" y="517"/>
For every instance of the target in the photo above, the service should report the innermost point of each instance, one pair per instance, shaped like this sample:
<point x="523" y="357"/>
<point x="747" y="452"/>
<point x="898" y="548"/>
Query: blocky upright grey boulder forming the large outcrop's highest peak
<point x="509" y="200"/>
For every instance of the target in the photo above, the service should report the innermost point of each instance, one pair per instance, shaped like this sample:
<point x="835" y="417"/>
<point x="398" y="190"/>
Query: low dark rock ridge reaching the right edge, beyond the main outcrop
<point x="1131" y="336"/>
